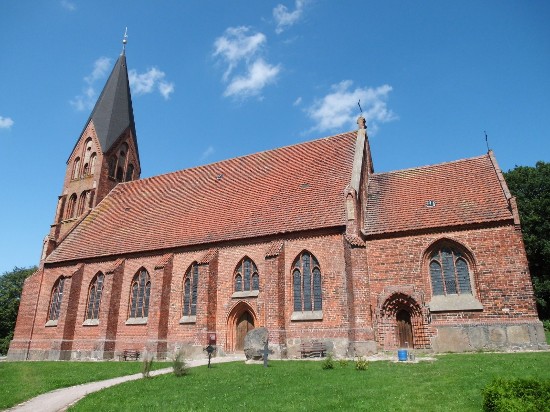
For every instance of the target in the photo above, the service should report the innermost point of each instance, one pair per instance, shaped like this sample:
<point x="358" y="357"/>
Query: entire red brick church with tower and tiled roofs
<point x="305" y="240"/>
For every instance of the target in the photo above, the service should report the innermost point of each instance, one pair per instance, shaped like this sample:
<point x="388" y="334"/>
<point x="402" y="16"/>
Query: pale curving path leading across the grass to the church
<point x="61" y="399"/>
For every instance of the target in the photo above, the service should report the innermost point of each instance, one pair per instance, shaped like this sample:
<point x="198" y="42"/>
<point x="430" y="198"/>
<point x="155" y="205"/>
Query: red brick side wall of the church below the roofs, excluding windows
<point x="354" y="289"/>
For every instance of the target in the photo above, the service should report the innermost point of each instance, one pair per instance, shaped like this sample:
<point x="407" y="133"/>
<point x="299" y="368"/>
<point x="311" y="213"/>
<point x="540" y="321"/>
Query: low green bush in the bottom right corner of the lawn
<point x="503" y="395"/>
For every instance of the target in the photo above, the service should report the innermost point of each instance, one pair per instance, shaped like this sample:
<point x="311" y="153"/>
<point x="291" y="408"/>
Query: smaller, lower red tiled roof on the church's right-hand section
<point x="464" y="191"/>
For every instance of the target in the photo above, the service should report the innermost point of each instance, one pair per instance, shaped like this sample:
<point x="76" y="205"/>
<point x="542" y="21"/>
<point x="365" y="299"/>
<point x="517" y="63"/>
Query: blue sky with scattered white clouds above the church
<point x="213" y="80"/>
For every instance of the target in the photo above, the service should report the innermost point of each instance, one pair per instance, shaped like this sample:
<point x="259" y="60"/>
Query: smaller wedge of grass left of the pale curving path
<point x="20" y="381"/>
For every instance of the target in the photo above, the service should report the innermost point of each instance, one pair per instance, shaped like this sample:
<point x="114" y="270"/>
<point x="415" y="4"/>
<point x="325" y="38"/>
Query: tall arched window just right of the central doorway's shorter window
<point x="306" y="283"/>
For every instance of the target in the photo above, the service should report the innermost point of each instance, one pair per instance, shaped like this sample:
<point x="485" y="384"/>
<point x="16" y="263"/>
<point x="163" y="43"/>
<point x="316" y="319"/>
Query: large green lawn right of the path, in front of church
<point x="452" y="383"/>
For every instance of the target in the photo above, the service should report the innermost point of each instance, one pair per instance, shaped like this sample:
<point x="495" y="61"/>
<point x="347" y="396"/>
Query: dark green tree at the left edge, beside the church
<point x="11" y="285"/>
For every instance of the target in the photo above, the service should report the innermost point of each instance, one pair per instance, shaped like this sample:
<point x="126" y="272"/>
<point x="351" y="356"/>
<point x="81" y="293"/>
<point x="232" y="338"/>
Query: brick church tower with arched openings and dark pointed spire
<point x="105" y="154"/>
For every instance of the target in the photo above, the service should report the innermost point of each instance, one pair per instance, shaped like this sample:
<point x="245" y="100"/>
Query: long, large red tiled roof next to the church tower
<point x="294" y="188"/>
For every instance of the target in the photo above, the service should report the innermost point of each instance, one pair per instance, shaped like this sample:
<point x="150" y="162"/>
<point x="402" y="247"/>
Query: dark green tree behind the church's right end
<point x="531" y="187"/>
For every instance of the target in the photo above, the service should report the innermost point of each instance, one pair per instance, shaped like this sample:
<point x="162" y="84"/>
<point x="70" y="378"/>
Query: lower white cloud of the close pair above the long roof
<point x="258" y="76"/>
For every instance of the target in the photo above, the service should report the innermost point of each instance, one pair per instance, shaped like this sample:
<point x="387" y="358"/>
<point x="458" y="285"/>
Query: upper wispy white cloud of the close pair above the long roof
<point x="235" y="45"/>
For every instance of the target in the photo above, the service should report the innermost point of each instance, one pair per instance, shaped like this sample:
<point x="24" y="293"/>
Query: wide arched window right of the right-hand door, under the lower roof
<point x="449" y="272"/>
